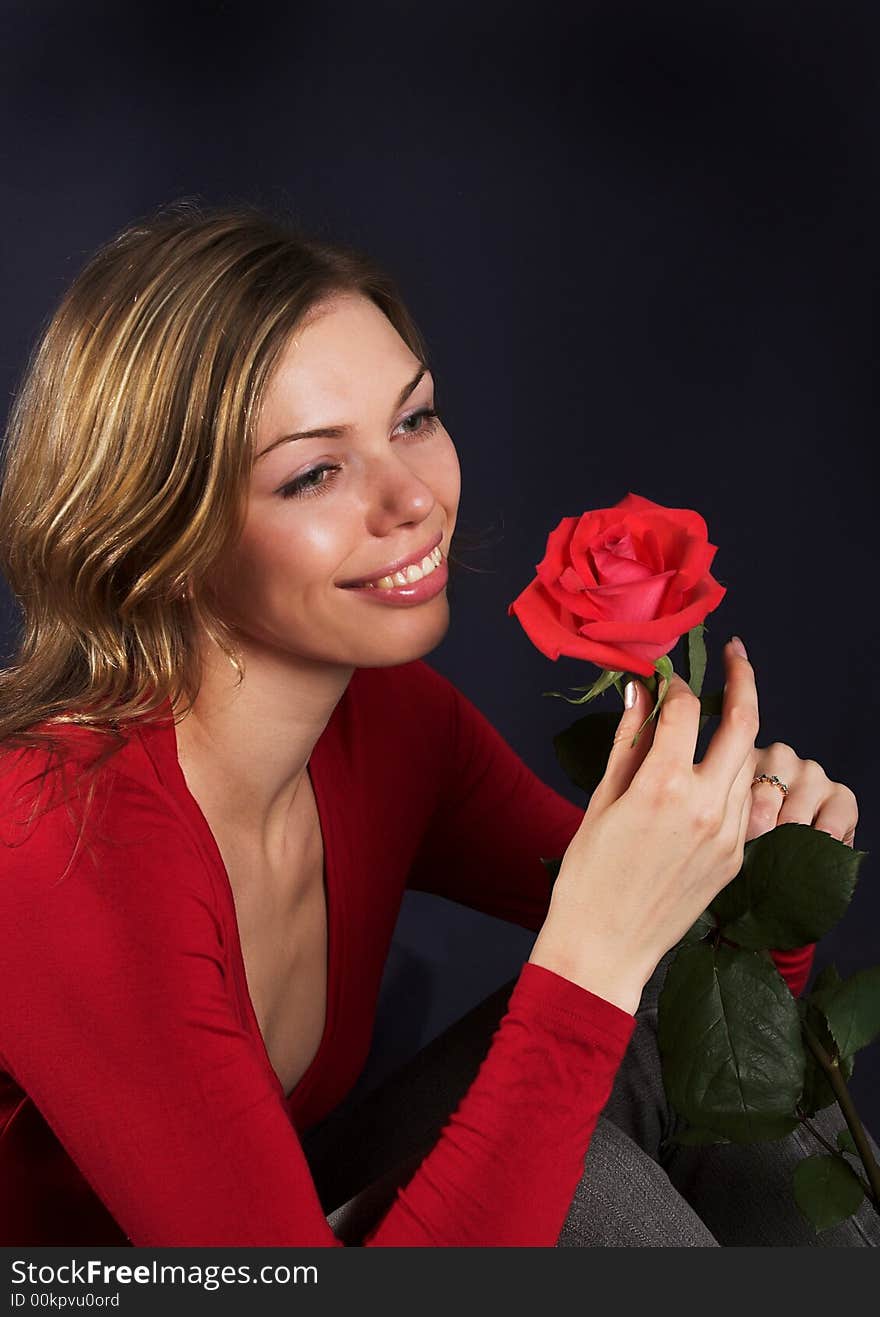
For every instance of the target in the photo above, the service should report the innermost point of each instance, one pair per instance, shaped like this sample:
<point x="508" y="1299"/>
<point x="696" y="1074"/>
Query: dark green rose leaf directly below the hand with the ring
<point x="795" y="886"/>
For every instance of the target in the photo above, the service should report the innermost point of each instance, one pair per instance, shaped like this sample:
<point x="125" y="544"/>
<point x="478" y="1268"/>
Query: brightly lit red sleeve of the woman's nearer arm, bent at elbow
<point x="119" y="1021"/>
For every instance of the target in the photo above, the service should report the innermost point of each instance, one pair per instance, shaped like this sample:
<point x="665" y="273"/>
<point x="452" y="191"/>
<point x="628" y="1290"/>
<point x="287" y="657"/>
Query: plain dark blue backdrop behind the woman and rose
<point x="641" y="243"/>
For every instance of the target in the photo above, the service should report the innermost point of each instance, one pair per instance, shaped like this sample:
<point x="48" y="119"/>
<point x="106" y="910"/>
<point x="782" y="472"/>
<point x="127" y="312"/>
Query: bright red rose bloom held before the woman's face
<point x="620" y="587"/>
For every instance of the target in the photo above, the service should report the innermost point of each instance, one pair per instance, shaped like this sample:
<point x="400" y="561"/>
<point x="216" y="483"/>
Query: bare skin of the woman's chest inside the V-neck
<point x="281" y="912"/>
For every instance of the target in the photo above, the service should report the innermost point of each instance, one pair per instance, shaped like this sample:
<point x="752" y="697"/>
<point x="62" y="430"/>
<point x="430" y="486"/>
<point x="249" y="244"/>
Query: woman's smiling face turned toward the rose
<point x="330" y="510"/>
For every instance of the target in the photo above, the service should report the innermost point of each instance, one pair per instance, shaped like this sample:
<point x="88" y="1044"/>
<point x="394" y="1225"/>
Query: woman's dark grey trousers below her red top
<point x="638" y="1189"/>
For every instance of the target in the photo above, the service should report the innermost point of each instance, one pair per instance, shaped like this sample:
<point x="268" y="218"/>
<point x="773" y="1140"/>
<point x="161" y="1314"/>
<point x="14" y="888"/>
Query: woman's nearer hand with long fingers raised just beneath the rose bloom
<point x="661" y="838"/>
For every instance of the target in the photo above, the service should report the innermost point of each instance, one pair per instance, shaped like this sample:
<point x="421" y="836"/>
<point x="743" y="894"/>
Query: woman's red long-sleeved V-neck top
<point x="138" y="1100"/>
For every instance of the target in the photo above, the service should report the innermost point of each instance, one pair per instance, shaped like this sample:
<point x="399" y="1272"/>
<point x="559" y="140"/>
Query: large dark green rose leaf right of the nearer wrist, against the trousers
<point x="730" y="1044"/>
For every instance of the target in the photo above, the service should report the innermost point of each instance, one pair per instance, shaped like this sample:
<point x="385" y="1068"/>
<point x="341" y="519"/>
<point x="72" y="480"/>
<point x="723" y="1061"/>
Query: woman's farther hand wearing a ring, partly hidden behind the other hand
<point x="812" y="796"/>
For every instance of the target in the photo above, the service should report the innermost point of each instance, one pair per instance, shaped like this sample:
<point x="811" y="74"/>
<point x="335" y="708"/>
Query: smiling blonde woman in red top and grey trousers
<point x="227" y="514"/>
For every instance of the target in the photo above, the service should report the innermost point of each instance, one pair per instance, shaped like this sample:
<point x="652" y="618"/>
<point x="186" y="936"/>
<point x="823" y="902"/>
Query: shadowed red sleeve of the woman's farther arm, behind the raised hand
<point x="496" y="821"/>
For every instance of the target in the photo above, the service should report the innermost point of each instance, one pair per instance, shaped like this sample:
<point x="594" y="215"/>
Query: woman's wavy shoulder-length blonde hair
<point x="130" y="450"/>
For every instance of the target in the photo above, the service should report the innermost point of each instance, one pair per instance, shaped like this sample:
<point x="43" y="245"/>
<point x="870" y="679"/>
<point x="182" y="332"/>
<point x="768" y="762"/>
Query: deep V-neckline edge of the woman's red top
<point x="322" y="808"/>
